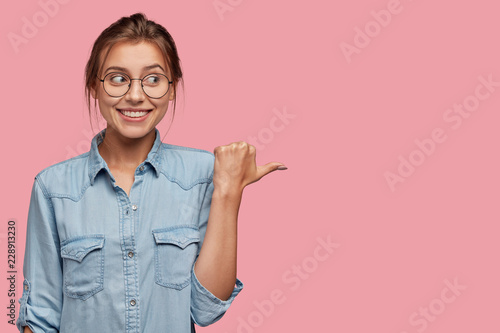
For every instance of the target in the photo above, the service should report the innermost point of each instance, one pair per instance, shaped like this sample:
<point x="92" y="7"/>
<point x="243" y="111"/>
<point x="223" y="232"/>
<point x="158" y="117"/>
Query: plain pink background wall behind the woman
<point x="352" y="118"/>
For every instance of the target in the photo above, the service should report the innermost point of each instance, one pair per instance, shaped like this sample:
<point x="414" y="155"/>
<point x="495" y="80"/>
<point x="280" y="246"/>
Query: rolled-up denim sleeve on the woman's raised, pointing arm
<point x="206" y="308"/>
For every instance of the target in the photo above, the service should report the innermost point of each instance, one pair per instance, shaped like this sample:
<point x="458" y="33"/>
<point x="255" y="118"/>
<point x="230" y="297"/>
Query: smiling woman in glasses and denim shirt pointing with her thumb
<point x="135" y="235"/>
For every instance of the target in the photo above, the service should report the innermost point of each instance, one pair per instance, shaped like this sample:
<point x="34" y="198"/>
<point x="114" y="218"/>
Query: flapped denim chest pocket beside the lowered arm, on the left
<point x="83" y="266"/>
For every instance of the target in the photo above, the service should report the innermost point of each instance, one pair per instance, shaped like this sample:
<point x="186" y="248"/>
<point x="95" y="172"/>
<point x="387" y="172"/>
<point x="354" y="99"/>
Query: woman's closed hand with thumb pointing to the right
<point x="235" y="167"/>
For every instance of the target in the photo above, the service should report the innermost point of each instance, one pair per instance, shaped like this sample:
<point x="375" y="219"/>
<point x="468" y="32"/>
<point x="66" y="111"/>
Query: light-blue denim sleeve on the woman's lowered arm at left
<point x="41" y="301"/>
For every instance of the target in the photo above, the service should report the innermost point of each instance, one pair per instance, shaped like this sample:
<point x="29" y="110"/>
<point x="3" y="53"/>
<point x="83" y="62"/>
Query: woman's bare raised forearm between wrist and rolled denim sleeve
<point x="216" y="264"/>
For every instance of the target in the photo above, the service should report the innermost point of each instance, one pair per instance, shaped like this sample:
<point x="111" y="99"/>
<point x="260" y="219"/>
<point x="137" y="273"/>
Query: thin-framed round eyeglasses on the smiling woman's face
<point x="154" y="85"/>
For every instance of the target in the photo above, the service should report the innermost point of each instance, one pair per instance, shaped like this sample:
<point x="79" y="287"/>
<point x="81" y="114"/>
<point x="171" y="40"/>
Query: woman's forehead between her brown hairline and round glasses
<point x="134" y="57"/>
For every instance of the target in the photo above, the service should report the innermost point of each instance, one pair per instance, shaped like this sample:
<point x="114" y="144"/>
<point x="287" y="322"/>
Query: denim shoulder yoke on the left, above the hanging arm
<point x="67" y="178"/>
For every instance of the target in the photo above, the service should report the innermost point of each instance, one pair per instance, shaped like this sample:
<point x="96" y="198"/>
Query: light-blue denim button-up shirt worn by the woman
<point x="99" y="260"/>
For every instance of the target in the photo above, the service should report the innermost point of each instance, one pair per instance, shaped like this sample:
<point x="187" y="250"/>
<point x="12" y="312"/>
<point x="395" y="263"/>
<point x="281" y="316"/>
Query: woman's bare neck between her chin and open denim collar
<point x="125" y="153"/>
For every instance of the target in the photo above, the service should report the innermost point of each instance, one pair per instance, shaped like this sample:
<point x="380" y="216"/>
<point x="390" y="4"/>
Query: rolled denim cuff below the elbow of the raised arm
<point x="206" y="308"/>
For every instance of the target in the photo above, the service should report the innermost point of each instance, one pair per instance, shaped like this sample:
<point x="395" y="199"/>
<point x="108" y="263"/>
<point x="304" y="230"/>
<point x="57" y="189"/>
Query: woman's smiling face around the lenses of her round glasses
<point x="134" y="114"/>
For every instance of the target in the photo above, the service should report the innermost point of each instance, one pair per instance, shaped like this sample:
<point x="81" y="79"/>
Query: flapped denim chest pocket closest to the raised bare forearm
<point x="175" y="252"/>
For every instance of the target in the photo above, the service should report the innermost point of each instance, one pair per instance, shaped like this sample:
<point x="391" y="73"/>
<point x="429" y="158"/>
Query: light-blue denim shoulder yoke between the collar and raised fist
<point x="186" y="165"/>
